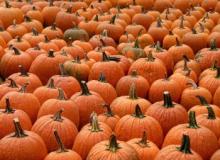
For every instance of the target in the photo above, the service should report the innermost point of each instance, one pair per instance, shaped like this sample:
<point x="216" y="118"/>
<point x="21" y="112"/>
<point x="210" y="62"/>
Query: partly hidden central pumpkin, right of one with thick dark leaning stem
<point x="102" y="87"/>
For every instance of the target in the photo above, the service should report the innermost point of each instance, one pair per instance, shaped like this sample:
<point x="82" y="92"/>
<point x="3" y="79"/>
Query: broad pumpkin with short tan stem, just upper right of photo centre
<point x="150" y="68"/>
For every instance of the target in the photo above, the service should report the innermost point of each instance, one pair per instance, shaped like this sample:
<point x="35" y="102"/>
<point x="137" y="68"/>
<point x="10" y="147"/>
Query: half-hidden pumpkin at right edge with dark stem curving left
<point x="201" y="108"/>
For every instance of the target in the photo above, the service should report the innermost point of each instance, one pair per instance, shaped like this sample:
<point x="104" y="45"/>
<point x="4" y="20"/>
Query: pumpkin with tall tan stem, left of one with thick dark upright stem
<point x="124" y="105"/>
